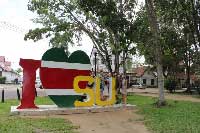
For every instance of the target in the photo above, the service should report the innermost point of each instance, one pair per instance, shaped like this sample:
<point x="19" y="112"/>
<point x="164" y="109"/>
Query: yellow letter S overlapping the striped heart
<point x="87" y="90"/>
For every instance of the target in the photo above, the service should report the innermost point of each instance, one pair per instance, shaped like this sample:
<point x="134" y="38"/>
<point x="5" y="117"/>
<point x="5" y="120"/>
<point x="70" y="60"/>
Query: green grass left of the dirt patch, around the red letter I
<point x="17" y="124"/>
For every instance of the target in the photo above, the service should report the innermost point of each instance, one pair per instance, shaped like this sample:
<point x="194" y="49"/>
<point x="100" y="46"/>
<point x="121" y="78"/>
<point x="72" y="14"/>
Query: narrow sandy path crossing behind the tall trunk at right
<point x="154" y="93"/>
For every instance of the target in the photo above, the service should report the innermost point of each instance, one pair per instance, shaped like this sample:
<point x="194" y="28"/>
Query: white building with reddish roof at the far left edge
<point x="6" y="71"/>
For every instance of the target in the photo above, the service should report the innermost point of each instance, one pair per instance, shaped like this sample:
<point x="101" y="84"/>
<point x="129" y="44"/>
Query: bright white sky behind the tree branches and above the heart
<point x="12" y="44"/>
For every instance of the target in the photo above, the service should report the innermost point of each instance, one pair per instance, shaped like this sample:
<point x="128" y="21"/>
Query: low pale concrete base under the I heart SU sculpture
<point x="54" y="110"/>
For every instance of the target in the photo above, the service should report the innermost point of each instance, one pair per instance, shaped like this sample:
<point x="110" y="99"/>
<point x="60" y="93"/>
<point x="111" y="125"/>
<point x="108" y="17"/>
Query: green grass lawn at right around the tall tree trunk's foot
<point x="176" y="117"/>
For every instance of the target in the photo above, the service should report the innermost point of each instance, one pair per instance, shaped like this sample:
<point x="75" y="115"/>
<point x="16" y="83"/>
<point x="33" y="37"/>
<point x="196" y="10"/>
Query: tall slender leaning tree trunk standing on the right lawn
<point x="158" y="50"/>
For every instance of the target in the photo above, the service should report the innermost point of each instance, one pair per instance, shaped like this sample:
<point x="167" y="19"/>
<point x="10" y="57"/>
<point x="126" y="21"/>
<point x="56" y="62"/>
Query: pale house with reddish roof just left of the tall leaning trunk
<point x="145" y="76"/>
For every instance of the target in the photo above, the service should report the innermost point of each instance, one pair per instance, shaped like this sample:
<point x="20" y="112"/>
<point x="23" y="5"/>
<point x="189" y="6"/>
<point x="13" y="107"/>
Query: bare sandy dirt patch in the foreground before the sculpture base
<point x="124" y="121"/>
